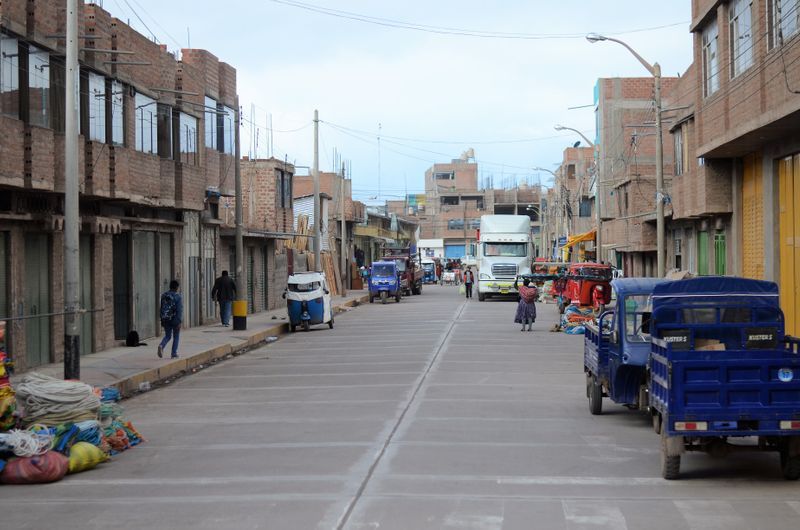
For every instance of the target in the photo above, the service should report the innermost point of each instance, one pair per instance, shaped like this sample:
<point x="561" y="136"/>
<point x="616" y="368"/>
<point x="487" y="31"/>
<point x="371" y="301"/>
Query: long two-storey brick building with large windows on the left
<point x="156" y="153"/>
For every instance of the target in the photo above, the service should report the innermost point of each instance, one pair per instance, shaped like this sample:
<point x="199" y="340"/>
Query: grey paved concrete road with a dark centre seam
<point x="434" y="413"/>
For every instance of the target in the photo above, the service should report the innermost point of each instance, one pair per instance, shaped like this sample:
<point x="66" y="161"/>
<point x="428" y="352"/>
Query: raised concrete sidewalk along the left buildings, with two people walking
<point x="125" y="368"/>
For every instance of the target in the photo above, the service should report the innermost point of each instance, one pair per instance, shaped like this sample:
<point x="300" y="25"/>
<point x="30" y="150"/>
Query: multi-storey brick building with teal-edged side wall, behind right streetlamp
<point x="626" y="145"/>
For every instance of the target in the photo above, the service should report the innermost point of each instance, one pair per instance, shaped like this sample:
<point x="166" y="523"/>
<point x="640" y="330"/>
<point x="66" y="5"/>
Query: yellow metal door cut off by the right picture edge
<point x="789" y="223"/>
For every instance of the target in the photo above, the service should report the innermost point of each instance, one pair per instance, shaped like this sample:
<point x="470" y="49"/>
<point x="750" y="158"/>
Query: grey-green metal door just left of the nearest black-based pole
<point x="37" y="299"/>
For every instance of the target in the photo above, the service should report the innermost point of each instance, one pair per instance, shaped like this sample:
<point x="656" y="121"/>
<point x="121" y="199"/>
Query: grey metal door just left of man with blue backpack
<point x="145" y="286"/>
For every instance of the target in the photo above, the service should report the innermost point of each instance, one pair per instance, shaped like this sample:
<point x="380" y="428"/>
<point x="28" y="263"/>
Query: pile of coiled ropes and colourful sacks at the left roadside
<point x="64" y="427"/>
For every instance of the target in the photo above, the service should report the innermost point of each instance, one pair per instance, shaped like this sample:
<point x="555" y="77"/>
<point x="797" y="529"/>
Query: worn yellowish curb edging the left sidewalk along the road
<point x="129" y="386"/>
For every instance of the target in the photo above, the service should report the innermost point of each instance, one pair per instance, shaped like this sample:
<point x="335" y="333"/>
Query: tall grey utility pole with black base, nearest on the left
<point x="71" y="202"/>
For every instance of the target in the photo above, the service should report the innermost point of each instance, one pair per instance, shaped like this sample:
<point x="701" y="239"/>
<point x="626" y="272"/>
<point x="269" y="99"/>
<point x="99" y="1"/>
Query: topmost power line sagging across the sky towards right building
<point x="444" y="30"/>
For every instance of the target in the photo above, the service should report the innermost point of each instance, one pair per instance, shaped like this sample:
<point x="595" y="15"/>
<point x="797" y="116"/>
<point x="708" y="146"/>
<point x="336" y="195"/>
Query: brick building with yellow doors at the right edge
<point x="747" y="134"/>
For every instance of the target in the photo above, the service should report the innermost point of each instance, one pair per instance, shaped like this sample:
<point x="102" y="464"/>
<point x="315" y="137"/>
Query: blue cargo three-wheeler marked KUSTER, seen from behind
<point x="722" y="368"/>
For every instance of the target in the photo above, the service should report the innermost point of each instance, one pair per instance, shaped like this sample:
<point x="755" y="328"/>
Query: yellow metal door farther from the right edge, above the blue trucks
<point x="752" y="219"/>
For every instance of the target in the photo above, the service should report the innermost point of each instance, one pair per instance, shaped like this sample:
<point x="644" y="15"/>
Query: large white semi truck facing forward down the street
<point x="505" y="250"/>
